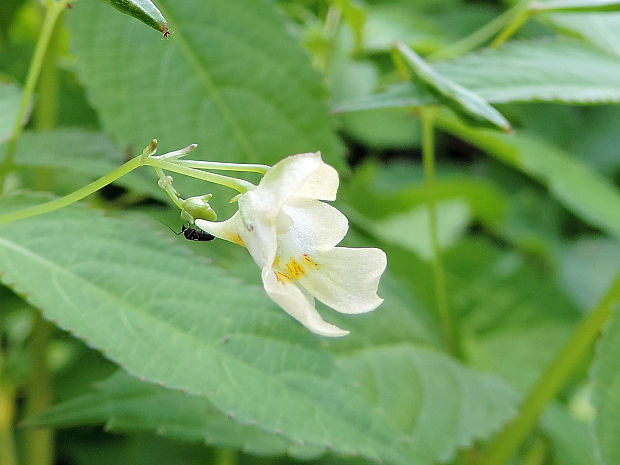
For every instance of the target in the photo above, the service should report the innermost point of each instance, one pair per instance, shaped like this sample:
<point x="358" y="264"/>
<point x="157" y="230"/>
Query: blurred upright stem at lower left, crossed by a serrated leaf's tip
<point x="39" y="442"/>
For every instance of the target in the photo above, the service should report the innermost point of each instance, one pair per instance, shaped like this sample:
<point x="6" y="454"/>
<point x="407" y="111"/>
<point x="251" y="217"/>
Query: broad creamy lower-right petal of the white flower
<point x="346" y="279"/>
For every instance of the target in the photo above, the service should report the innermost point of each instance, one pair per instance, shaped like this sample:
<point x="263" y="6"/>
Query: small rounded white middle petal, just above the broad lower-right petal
<point x="316" y="225"/>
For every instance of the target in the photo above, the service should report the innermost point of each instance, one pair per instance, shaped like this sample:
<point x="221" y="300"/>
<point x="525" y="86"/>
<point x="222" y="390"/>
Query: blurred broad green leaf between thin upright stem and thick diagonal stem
<point x="507" y="309"/>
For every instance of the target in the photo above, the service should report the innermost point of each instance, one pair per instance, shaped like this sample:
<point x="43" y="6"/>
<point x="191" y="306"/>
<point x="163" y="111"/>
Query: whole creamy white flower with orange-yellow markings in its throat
<point x="292" y="237"/>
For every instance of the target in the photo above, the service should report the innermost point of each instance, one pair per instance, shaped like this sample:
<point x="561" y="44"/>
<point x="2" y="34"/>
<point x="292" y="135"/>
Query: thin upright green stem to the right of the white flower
<point x="427" y="115"/>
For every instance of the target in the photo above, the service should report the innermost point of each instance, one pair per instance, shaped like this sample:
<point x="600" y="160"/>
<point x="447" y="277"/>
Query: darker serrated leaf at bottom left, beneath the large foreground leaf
<point x="125" y="404"/>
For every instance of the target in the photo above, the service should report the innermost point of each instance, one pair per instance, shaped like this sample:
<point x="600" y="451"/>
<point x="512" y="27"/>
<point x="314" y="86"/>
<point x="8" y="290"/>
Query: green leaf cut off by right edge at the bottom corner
<point x="606" y="393"/>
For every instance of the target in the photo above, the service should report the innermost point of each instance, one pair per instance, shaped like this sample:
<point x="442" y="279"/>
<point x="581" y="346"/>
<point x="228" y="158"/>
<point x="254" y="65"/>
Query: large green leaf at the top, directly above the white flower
<point x="230" y="78"/>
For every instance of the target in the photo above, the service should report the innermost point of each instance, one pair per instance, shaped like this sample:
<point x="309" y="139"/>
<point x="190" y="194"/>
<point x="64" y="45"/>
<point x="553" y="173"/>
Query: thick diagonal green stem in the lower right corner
<point x="556" y="375"/>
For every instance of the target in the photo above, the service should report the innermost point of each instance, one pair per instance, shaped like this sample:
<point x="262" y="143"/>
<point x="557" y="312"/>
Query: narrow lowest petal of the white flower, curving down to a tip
<point x="301" y="307"/>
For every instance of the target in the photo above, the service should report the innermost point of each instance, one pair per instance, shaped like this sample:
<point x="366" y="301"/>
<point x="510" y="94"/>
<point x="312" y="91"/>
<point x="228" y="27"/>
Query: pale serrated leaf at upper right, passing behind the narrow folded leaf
<point x="557" y="70"/>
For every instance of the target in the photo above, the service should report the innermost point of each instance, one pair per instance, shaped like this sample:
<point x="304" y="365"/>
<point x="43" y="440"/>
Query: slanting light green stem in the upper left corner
<point x="51" y="16"/>
